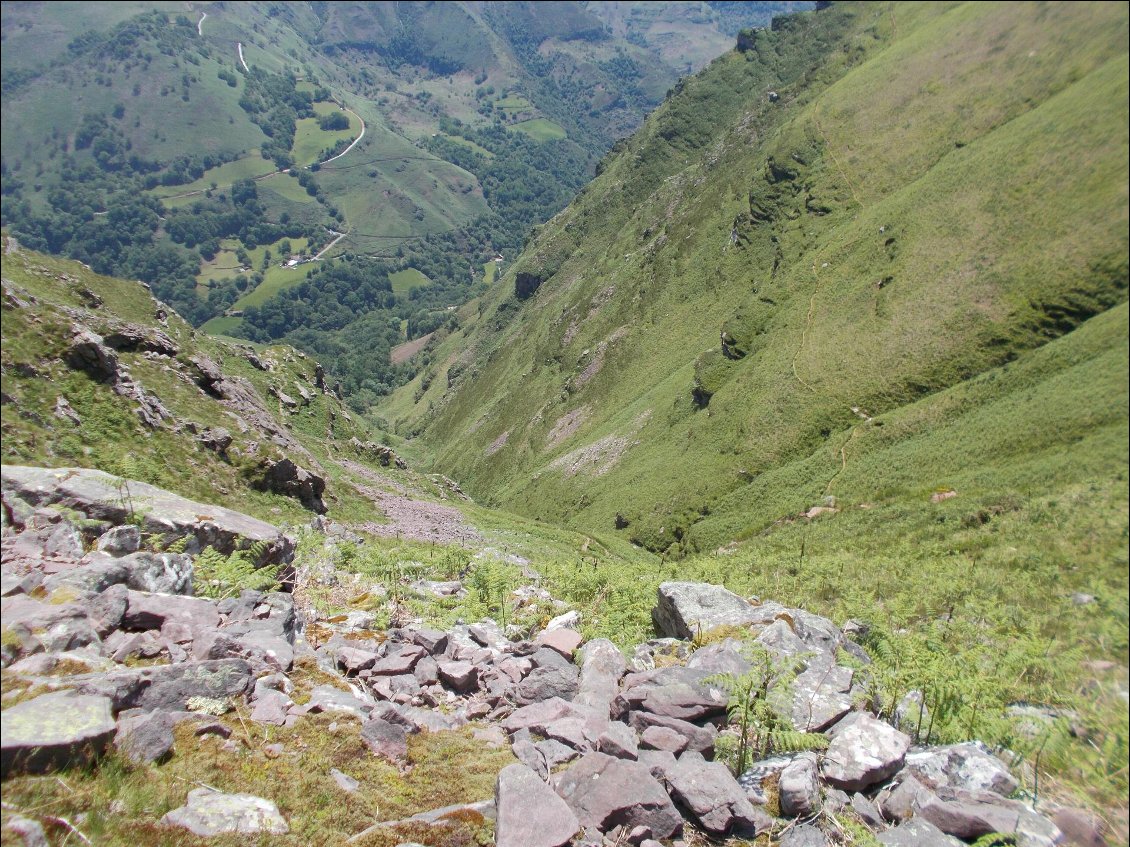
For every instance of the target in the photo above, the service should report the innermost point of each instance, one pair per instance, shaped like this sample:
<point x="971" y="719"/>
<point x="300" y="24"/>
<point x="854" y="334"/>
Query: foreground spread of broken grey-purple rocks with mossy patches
<point x="114" y="671"/>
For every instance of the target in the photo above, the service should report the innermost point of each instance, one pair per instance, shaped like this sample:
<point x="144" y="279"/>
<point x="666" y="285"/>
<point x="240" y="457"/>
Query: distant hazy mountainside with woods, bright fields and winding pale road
<point x="429" y="137"/>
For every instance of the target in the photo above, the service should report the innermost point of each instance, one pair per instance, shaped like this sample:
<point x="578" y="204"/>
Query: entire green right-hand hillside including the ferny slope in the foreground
<point x="845" y="322"/>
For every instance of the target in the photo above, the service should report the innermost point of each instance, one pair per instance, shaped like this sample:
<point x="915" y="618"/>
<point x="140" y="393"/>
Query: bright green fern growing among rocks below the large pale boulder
<point x="757" y="702"/>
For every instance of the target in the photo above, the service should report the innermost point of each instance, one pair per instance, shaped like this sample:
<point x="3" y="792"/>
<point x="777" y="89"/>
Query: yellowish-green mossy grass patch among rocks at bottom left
<point x="123" y="804"/>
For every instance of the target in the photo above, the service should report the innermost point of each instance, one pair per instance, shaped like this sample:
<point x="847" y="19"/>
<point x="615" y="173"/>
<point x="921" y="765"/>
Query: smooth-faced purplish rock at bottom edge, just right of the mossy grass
<point x="529" y="814"/>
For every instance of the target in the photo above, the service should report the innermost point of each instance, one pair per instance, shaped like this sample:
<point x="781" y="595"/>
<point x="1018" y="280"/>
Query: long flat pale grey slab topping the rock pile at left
<point x="105" y="497"/>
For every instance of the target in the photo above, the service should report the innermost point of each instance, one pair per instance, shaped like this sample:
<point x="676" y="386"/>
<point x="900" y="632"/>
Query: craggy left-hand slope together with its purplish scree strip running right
<point x="208" y="420"/>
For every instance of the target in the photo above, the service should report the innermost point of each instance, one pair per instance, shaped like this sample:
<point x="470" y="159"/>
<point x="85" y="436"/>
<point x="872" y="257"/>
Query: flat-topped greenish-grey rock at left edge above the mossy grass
<point x="55" y="731"/>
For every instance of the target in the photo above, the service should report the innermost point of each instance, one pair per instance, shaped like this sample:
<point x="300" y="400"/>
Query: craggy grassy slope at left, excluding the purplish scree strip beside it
<point x="98" y="372"/>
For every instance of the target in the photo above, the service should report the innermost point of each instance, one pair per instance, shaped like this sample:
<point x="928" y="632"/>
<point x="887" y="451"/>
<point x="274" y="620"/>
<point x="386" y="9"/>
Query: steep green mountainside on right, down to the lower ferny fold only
<point x="928" y="194"/>
